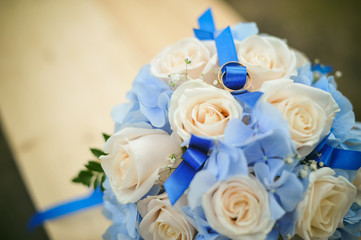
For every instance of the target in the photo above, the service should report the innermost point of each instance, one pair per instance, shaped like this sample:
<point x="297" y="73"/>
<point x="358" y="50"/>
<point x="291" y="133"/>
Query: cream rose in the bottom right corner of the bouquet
<point x="326" y="202"/>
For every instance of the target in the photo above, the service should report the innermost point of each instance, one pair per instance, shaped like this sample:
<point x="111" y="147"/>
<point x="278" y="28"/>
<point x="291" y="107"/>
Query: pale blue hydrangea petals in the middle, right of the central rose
<point x="262" y="138"/>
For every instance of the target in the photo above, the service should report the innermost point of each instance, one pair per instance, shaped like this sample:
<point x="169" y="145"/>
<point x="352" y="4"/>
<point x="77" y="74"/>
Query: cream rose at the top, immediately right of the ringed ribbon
<point x="266" y="58"/>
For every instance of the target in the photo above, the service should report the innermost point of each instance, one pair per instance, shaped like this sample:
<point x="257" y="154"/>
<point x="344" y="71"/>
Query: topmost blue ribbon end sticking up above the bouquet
<point x="207" y="28"/>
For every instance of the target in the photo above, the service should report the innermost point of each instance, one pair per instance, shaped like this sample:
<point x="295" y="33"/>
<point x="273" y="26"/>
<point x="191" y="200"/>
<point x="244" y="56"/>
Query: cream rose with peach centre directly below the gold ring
<point x="199" y="108"/>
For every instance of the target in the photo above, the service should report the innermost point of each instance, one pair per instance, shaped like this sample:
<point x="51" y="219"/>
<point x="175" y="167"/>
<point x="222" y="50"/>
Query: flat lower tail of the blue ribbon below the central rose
<point x="179" y="181"/>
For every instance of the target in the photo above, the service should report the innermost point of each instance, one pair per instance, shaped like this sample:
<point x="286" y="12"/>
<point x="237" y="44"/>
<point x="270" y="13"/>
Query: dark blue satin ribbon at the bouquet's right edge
<point x="336" y="157"/>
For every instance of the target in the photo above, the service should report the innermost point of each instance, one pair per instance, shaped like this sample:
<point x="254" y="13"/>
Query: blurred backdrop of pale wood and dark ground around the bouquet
<point x="64" y="64"/>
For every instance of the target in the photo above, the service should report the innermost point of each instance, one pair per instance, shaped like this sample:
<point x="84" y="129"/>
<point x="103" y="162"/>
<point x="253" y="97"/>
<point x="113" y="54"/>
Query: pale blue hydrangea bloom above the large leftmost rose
<point x="149" y="99"/>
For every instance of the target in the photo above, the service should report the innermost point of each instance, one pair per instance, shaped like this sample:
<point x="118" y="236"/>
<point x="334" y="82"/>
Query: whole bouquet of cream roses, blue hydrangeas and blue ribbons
<point x="232" y="134"/>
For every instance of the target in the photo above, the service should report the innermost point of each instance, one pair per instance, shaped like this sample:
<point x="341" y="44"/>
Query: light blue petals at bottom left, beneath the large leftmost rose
<point x="125" y="217"/>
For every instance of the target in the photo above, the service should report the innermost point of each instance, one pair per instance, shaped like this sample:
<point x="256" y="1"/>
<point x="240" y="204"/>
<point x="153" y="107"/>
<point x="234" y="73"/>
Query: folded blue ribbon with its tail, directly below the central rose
<point x="193" y="160"/>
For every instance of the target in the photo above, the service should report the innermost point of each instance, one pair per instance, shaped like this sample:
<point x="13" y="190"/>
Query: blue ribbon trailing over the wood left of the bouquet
<point x="95" y="198"/>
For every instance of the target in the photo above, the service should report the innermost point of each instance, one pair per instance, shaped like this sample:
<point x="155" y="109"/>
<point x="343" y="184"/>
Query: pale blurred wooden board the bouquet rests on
<point x="63" y="66"/>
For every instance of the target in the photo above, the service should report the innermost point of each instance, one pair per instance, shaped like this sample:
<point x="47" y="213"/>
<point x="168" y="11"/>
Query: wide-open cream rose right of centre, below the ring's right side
<point x="309" y="111"/>
